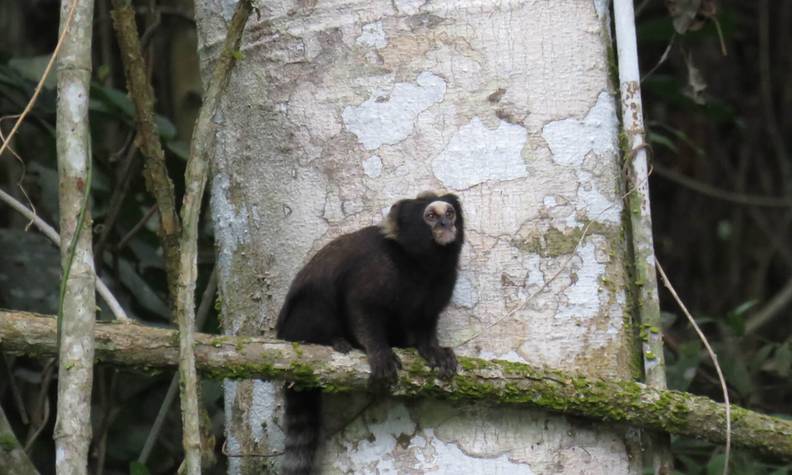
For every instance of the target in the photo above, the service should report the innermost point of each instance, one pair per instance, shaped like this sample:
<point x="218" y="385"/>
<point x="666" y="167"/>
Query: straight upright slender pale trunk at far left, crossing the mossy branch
<point x="73" y="139"/>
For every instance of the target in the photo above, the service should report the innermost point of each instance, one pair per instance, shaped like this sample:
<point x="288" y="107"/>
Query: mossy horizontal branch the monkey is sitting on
<point x="610" y="400"/>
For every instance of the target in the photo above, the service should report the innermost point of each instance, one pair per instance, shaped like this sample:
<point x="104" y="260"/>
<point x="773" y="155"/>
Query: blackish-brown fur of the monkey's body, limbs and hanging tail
<point x="373" y="289"/>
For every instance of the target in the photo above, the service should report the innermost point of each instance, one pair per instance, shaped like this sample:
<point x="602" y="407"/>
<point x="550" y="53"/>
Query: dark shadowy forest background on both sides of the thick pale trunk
<point x="717" y="91"/>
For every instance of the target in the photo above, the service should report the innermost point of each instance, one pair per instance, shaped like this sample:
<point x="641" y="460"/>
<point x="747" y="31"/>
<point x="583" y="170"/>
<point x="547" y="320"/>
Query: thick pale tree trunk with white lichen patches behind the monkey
<point x="340" y="108"/>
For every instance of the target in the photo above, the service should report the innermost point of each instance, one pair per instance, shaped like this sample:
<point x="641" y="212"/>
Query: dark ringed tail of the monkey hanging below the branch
<point x="303" y="418"/>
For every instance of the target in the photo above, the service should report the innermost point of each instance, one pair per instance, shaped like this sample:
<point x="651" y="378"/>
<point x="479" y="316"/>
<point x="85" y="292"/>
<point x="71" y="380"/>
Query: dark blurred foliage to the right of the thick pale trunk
<point x="709" y="118"/>
